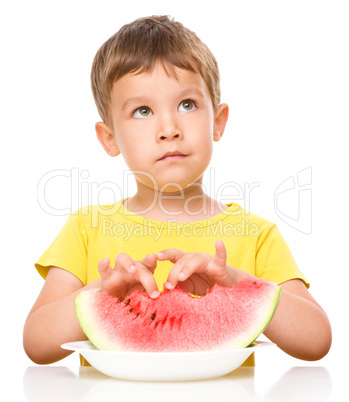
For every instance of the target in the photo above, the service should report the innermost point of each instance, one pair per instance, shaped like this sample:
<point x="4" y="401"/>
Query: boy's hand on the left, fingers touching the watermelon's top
<point x="128" y="275"/>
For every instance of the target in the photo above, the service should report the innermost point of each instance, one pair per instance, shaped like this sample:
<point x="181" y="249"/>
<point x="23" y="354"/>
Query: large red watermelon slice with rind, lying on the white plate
<point x="225" y="318"/>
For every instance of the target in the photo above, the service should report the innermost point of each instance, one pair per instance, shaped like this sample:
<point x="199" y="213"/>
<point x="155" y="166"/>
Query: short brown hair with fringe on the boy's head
<point x="137" y="46"/>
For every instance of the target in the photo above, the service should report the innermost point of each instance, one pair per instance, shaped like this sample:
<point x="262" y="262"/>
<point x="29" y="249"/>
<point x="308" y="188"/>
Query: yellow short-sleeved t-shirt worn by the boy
<point x="253" y="244"/>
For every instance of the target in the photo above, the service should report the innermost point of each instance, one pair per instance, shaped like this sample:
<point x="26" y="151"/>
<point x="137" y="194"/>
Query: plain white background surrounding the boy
<point x="284" y="69"/>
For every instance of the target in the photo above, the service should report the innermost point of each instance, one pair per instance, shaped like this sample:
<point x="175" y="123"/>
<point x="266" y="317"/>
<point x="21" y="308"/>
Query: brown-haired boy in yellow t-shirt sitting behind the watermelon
<point x="156" y="86"/>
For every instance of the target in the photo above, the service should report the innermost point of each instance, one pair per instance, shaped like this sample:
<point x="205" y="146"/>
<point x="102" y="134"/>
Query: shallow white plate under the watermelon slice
<point x="164" y="366"/>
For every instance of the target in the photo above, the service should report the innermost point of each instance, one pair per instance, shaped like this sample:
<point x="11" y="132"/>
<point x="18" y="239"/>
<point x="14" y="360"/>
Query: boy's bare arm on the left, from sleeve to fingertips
<point x="52" y="320"/>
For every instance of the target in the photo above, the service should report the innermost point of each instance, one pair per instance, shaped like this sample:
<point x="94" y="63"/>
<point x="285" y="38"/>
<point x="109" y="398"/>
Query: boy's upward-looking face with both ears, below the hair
<point x="164" y="127"/>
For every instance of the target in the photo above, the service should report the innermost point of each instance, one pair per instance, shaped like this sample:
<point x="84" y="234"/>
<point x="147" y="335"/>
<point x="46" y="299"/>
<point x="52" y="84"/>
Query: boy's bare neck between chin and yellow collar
<point x="187" y="205"/>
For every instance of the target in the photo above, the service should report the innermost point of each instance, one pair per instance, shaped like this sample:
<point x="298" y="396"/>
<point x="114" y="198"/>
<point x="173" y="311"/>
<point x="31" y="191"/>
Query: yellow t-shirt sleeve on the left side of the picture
<point x="68" y="251"/>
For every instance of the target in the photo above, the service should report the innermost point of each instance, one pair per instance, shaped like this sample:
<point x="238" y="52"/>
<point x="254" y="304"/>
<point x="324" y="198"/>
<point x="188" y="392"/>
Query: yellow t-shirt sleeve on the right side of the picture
<point x="274" y="260"/>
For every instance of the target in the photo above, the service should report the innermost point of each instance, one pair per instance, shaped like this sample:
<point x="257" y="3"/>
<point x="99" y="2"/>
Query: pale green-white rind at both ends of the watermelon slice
<point x="84" y="304"/>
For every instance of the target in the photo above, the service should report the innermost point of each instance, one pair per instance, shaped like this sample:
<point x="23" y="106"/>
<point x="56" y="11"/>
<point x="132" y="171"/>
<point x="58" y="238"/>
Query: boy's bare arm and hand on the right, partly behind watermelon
<point x="299" y="327"/>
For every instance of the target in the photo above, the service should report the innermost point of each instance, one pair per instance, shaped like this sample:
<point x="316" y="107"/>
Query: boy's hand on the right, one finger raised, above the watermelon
<point x="197" y="272"/>
